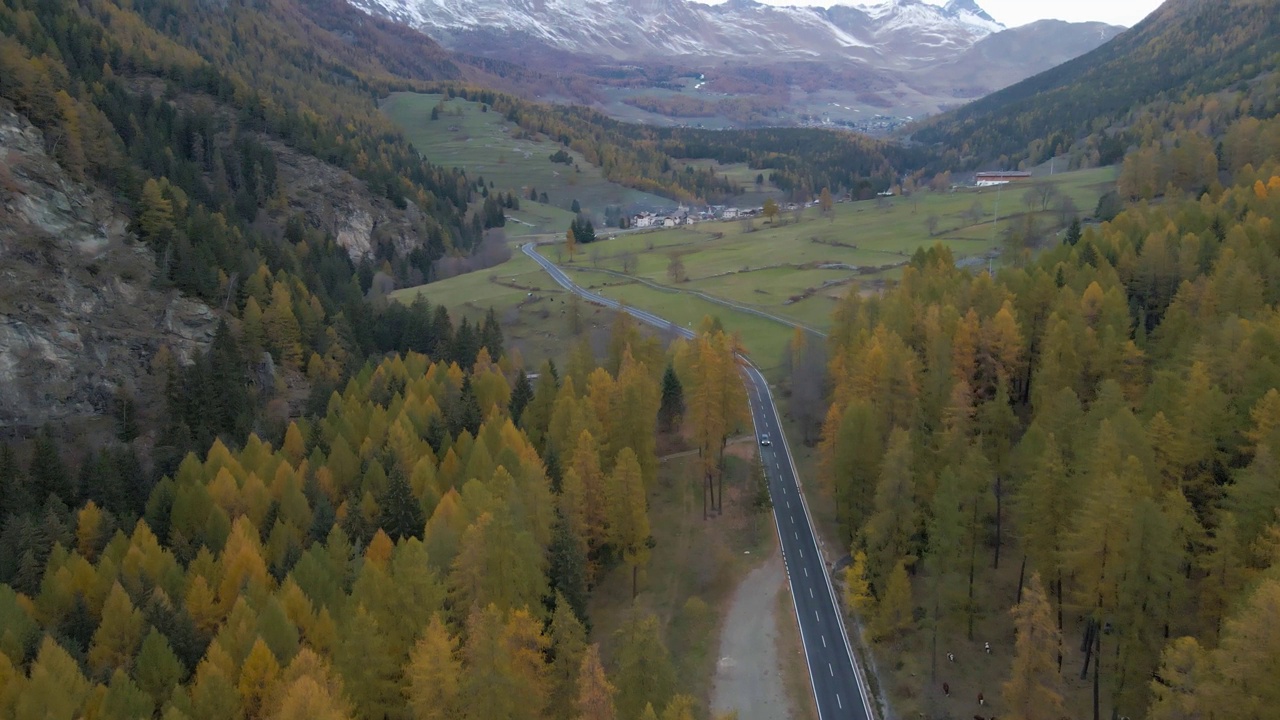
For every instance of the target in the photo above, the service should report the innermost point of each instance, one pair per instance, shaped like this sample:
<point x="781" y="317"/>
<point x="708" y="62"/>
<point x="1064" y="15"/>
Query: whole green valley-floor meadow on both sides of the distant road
<point x="796" y="268"/>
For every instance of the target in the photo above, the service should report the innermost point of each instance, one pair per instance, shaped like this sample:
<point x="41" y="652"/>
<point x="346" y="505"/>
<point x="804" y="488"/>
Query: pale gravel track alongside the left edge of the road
<point x="748" y="676"/>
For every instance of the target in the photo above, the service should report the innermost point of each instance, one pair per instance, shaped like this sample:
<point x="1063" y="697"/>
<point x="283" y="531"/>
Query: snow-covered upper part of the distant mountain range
<point x="666" y="30"/>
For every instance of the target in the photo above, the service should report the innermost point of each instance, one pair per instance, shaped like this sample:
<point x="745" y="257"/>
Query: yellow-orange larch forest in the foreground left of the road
<point x="423" y="546"/>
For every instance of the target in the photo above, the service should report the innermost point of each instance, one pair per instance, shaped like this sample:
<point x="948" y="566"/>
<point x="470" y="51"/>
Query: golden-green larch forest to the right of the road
<point x="1099" y="421"/>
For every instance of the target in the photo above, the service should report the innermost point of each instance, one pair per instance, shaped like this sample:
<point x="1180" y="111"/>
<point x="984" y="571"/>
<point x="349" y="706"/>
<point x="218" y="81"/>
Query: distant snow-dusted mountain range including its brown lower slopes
<point x="872" y="58"/>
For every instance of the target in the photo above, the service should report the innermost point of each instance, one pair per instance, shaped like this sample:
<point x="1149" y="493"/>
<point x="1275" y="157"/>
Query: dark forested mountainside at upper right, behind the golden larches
<point x="1186" y="48"/>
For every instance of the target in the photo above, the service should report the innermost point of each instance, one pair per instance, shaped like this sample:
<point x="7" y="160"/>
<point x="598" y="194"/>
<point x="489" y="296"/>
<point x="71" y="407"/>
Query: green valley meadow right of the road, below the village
<point x="797" y="270"/>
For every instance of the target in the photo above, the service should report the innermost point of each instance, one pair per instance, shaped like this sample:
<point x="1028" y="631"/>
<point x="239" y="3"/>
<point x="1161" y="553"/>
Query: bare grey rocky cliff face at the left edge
<point x="79" y="315"/>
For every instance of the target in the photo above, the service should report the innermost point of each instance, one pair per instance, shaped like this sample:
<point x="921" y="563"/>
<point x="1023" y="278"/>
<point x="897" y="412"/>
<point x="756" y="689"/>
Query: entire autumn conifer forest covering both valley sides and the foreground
<point x="346" y="508"/>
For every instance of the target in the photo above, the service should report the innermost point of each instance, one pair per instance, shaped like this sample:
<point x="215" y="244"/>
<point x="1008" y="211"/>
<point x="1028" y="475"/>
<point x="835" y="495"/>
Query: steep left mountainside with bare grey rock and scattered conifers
<point x="171" y="165"/>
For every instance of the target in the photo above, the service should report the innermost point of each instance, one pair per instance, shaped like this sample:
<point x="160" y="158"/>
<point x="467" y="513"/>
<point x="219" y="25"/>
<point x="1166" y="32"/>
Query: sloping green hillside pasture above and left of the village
<point x="487" y="145"/>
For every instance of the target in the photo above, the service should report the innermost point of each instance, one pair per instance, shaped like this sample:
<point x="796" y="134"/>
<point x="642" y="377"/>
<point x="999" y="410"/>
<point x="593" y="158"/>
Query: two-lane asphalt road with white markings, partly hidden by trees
<point x="838" y="685"/>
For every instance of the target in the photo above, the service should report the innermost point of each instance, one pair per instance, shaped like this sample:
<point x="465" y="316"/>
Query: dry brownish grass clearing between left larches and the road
<point x="694" y="567"/>
